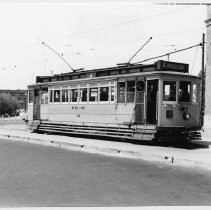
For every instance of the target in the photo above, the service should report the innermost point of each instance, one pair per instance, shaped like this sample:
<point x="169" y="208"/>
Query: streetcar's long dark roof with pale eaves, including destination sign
<point x="158" y="68"/>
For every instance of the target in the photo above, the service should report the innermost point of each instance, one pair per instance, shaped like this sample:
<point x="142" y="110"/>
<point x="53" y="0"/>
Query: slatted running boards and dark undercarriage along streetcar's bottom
<point x="135" y="132"/>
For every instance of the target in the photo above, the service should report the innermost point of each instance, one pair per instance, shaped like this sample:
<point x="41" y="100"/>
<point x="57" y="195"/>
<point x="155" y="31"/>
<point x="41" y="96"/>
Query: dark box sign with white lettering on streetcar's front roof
<point x="172" y="66"/>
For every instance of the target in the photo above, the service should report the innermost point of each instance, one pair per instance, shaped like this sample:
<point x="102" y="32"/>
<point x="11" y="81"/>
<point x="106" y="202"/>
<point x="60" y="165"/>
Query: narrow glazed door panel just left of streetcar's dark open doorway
<point x="139" y="108"/>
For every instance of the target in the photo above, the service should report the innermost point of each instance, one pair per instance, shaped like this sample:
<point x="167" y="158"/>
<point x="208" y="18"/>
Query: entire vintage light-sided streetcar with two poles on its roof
<point x="153" y="102"/>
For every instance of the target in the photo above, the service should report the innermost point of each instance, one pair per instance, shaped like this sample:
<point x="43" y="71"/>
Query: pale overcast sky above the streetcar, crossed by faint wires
<point x="93" y="35"/>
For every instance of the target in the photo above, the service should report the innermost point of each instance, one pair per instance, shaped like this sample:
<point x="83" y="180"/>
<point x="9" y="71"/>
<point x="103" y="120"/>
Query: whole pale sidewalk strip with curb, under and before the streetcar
<point x="200" y="157"/>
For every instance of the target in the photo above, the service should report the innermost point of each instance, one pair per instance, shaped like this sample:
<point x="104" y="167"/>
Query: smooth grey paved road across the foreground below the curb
<point x="34" y="175"/>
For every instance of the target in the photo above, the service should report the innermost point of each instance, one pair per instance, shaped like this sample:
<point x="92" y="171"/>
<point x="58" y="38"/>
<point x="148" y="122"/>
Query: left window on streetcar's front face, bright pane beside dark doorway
<point x="169" y="91"/>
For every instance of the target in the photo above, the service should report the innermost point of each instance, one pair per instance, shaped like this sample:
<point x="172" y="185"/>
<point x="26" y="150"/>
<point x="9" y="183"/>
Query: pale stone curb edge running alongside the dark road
<point x="162" y="159"/>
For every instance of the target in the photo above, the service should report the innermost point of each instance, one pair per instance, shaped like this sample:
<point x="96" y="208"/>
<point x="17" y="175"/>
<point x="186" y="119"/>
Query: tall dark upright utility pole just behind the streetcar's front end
<point x="203" y="74"/>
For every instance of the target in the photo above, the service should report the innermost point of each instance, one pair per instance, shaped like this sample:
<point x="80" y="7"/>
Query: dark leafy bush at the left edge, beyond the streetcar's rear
<point x="8" y="104"/>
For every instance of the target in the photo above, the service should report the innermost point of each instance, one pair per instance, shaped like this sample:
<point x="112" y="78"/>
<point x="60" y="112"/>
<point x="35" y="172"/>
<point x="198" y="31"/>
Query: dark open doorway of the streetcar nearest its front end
<point x="152" y="90"/>
